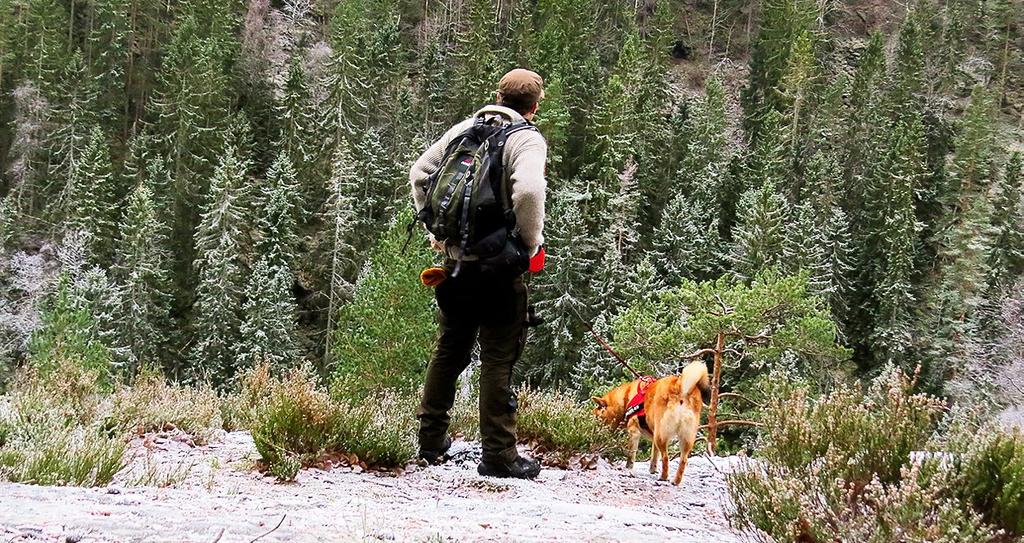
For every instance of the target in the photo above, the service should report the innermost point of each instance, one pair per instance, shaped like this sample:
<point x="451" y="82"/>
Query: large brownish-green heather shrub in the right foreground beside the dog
<point x="839" y="469"/>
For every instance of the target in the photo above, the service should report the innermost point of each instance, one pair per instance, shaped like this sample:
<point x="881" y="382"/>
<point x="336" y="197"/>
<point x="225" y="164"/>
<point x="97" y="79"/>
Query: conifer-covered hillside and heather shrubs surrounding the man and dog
<point x="203" y="207"/>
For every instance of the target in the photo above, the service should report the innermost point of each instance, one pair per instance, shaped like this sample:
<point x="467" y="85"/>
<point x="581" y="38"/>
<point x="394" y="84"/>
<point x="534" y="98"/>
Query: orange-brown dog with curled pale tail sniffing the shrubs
<point x="672" y="410"/>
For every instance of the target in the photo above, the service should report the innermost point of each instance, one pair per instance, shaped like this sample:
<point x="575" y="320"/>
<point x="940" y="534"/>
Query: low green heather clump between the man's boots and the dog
<point x="564" y="428"/>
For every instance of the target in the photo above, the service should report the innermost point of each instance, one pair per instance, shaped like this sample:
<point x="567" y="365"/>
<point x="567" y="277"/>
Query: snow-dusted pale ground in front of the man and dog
<point x="219" y="497"/>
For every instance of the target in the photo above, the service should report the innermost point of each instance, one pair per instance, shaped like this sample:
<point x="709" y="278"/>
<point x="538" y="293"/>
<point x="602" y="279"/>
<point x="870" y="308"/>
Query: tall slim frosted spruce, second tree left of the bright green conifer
<point x="221" y="267"/>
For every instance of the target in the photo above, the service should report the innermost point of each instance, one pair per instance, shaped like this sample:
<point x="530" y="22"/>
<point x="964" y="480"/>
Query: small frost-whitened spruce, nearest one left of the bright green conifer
<point x="269" y="328"/>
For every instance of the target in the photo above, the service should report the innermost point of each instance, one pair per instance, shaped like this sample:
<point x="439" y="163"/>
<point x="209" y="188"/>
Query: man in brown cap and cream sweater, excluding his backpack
<point x="480" y="306"/>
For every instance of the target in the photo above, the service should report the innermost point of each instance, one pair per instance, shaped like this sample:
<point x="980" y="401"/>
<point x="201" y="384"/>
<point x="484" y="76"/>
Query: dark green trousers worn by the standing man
<point x="492" y="310"/>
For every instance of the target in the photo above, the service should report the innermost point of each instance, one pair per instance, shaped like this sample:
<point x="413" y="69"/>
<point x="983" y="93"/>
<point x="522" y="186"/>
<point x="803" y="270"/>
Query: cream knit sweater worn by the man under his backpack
<point x="524" y="160"/>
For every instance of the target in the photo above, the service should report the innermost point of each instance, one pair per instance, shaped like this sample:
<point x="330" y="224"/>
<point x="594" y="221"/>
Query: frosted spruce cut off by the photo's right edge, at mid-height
<point x="1007" y="259"/>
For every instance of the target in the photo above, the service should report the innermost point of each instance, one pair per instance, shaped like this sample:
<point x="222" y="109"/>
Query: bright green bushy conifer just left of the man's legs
<point x="386" y="335"/>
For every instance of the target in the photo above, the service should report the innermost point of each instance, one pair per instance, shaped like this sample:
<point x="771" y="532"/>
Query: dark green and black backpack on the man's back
<point x="468" y="201"/>
